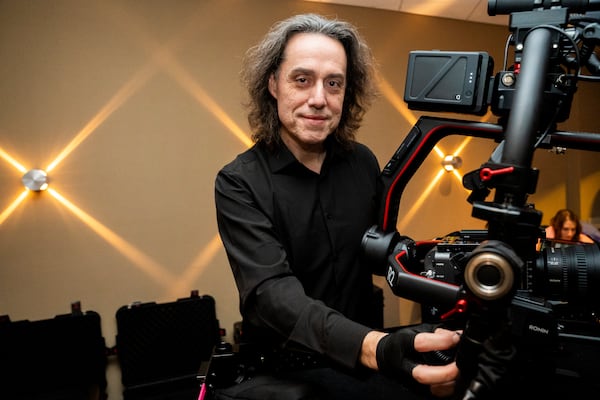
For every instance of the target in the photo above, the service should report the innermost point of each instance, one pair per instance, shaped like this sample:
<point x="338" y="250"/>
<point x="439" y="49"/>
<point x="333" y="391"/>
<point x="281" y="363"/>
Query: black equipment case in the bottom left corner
<point x="61" y="358"/>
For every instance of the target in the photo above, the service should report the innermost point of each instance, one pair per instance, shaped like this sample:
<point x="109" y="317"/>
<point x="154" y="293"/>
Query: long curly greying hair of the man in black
<point x="265" y="58"/>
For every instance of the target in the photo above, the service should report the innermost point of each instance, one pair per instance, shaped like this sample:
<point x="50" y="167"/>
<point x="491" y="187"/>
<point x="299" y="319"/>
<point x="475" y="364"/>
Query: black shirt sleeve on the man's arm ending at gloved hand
<point x="270" y="295"/>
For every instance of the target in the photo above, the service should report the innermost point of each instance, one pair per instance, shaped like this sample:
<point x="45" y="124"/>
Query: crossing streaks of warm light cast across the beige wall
<point x="163" y="60"/>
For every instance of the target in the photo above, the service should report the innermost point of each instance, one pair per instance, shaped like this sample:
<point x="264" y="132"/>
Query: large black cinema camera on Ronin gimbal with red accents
<point x="529" y="317"/>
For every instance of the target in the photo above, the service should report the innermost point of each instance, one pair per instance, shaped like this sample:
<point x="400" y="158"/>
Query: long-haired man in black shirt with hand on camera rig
<point x="292" y="211"/>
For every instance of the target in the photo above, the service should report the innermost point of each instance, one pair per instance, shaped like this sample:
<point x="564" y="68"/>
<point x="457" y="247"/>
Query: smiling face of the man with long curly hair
<point x="309" y="88"/>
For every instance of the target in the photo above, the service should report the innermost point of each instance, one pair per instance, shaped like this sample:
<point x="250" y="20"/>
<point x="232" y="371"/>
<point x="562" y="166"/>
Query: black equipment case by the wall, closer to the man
<point x="161" y="347"/>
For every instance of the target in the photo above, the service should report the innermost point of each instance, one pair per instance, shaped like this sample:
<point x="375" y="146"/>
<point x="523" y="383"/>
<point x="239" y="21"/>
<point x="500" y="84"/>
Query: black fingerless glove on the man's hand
<point x="396" y="352"/>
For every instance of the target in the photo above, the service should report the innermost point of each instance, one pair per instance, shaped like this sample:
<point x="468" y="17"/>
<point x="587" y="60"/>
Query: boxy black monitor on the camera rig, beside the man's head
<point x="448" y="81"/>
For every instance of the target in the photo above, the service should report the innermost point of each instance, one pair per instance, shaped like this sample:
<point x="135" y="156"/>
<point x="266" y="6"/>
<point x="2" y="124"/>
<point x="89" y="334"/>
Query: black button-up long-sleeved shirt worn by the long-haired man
<point x="293" y="241"/>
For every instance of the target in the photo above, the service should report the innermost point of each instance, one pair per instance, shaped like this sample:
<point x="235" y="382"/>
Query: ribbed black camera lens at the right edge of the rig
<point x="569" y="274"/>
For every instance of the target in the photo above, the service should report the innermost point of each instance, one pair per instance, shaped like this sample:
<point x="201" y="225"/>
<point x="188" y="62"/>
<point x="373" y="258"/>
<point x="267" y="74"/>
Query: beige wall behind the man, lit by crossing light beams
<point x="139" y="102"/>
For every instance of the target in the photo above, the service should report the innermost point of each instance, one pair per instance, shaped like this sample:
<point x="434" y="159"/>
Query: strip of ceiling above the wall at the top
<point x="467" y="10"/>
